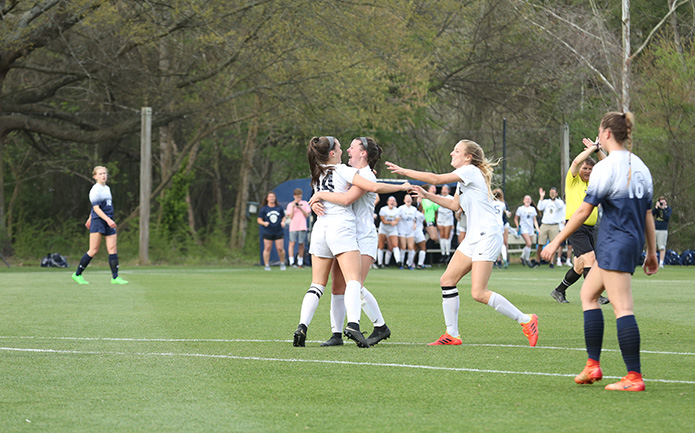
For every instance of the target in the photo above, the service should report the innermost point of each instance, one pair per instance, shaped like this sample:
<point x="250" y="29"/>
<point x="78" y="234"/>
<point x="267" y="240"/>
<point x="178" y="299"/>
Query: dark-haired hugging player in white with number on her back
<point x="334" y="236"/>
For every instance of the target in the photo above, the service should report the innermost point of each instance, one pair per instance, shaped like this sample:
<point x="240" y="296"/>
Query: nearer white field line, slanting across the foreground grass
<point x="316" y="361"/>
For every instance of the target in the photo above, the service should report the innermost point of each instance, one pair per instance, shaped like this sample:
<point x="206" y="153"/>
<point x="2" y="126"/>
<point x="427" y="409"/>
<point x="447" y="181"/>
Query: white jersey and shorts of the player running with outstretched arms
<point x="483" y="240"/>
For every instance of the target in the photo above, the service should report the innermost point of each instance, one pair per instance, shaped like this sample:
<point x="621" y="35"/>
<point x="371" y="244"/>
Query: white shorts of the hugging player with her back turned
<point x="333" y="236"/>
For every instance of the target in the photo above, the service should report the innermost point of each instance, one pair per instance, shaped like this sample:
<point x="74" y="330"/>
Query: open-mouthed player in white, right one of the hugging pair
<point x="363" y="153"/>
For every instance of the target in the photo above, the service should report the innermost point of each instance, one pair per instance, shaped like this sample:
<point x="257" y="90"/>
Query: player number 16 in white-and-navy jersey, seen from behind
<point x="622" y="184"/>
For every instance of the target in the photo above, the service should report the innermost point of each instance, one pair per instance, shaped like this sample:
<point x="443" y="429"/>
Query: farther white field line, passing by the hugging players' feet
<point x="239" y="340"/>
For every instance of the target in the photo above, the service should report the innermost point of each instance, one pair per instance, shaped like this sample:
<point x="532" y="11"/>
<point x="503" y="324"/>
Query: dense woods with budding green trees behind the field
<point x="237" y="89"/>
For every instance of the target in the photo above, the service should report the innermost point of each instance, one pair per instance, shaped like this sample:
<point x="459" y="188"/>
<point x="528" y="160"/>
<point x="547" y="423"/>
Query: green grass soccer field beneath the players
<point x="186" y="349"/>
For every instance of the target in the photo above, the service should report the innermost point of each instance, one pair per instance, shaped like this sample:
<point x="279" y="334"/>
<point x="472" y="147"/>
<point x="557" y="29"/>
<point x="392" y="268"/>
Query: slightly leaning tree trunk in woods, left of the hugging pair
<point x="239" y="222"/>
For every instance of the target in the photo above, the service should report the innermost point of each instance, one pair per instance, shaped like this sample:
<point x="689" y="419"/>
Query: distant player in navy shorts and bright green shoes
<point x="100" y="224"/>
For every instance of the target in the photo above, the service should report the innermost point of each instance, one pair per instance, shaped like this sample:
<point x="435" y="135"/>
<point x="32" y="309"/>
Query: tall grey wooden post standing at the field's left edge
<point x="145" y="183"/>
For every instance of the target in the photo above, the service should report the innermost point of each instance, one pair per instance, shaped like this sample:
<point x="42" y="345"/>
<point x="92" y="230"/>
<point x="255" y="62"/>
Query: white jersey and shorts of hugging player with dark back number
<point x="335" y="231"/>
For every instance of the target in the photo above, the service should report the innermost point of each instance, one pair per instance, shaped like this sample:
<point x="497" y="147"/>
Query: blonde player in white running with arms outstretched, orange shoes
<point x="483" y="241"/>
